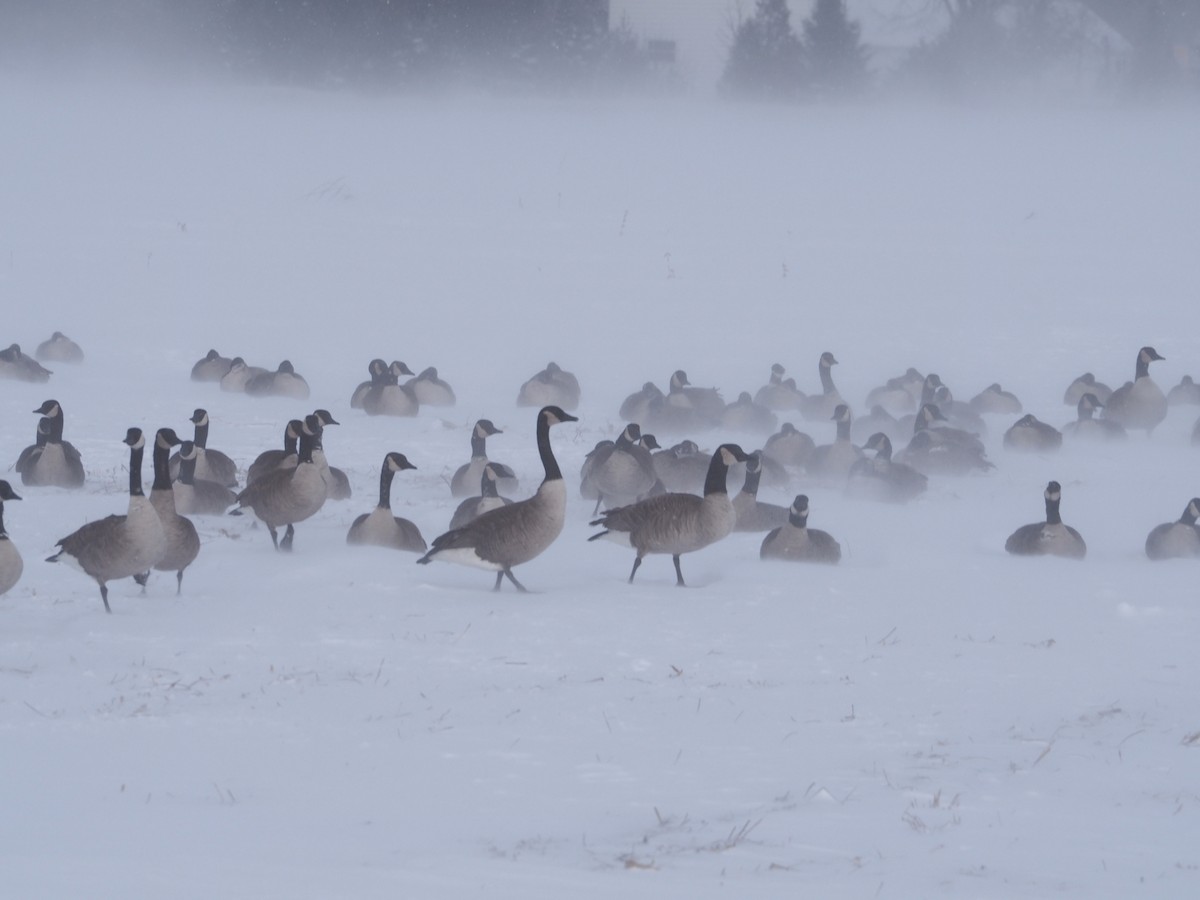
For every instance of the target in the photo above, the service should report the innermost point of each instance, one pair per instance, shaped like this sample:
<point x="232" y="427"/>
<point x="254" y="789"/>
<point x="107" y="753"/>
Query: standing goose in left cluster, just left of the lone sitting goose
<point x="287" y="496"/>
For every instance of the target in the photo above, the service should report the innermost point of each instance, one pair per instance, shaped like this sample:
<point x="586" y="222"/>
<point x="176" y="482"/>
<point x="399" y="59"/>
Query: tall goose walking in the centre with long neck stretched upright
<point x="518" y="533"/>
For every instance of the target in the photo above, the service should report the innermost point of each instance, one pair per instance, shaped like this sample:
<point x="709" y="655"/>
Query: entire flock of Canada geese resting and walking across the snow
<point x="653" y="500"/>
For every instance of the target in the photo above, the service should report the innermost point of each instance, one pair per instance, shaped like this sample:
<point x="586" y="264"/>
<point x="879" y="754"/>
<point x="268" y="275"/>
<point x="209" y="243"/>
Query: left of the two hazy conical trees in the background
<point x="766" y="58"/>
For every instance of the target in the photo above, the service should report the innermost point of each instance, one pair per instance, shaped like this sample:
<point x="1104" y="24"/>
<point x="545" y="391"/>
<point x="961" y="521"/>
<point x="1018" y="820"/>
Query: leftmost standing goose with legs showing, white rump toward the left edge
<point x="118" y="547"/>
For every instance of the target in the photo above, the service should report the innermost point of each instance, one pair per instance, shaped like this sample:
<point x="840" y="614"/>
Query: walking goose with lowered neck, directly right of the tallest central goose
<point x="676" y="524"/>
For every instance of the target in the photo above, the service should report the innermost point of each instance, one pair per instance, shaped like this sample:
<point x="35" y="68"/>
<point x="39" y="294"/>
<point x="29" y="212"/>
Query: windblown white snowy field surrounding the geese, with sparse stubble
<point x="931" y="718"/>
